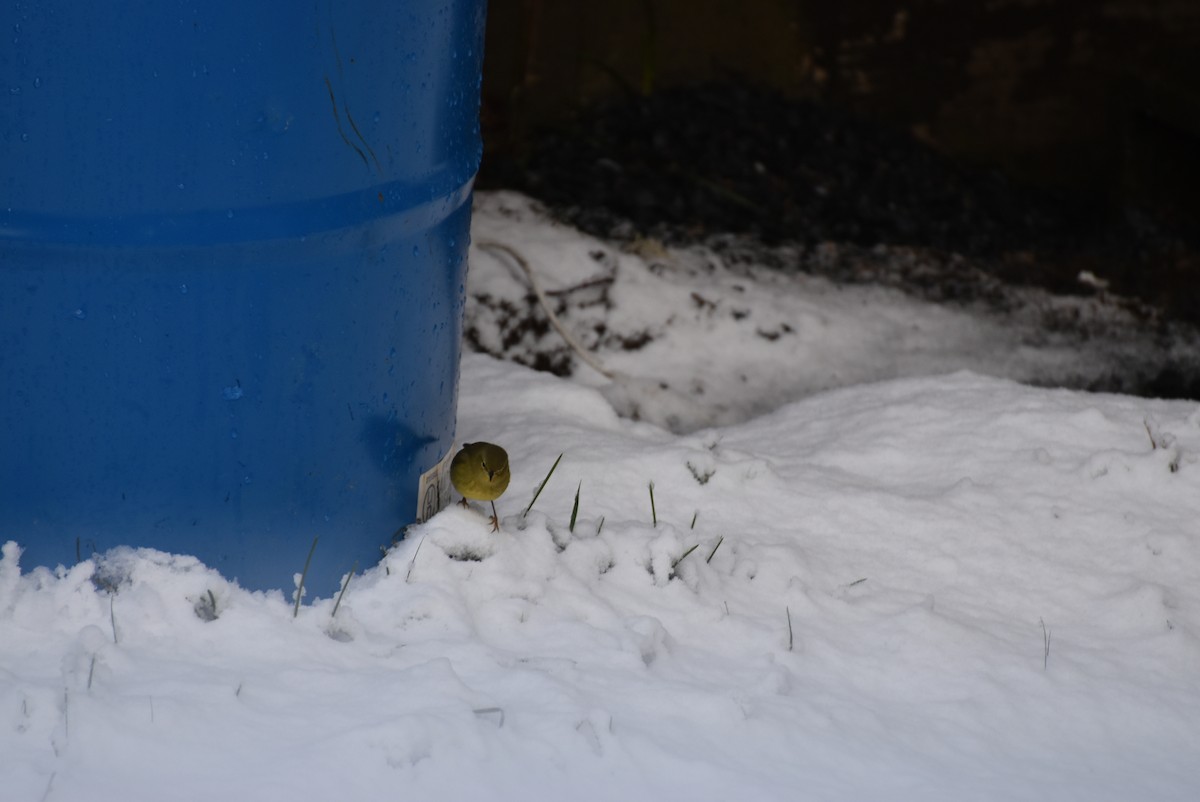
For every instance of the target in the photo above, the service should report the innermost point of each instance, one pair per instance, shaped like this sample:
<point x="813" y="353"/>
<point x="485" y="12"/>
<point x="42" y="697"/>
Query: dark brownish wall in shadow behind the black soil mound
<point x="1095" y="95"/>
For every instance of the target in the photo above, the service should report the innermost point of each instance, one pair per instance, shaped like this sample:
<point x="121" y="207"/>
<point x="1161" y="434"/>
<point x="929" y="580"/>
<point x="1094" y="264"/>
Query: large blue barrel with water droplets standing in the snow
<point x="233" y="244"/>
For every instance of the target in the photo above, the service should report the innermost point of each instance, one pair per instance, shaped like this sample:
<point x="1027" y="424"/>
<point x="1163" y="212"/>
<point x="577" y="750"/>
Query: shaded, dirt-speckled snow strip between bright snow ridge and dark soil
<point x="733" y="342"/>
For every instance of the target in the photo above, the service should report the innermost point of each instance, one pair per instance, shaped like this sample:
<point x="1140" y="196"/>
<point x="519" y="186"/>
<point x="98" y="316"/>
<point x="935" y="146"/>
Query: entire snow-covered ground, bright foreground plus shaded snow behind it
<point x="947" y="585"/>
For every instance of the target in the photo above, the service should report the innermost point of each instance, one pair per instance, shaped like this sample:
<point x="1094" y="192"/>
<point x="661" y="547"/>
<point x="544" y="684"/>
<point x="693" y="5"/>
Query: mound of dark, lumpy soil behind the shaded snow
<point x="725" y="164"/>
